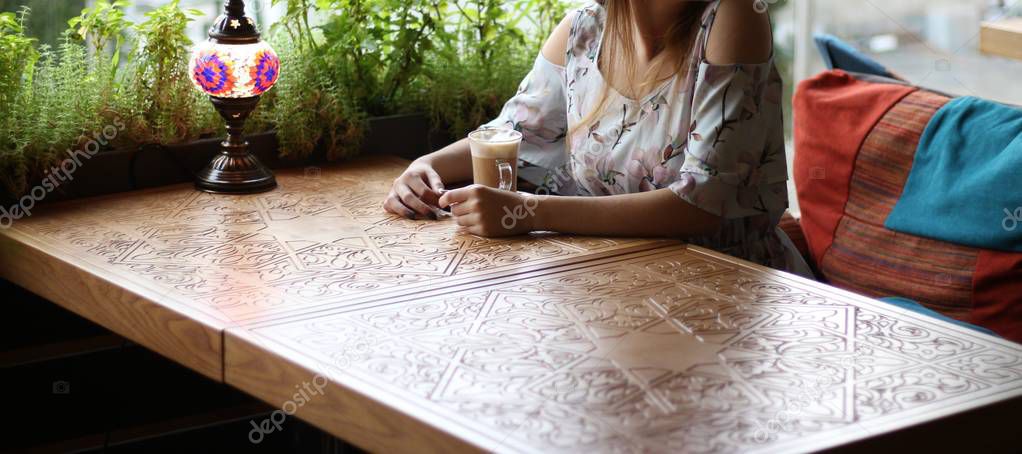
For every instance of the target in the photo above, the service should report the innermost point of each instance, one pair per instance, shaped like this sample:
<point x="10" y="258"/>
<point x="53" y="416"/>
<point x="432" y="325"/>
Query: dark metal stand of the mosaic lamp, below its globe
<point x="236" y="171"/>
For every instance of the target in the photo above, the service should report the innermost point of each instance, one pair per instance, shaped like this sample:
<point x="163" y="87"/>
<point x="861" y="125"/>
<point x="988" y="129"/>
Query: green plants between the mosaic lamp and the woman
<point x="456" y="61"/>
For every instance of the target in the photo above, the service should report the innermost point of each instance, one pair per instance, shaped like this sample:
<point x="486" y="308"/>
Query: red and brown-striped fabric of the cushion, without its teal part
<point x="855" y="145"/>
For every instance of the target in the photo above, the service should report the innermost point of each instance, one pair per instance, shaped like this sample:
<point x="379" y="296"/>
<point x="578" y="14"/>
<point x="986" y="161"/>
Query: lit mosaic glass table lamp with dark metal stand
<point x="235" y="67"/>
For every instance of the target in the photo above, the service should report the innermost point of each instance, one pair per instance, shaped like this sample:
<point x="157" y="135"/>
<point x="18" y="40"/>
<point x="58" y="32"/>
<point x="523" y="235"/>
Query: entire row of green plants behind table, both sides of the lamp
<point x="457" y="61"/>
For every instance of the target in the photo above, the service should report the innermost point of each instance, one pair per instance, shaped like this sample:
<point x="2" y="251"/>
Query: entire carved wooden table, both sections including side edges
<point x="417" y="338"/>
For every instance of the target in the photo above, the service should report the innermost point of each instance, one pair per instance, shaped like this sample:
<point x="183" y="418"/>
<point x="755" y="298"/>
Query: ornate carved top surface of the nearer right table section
<point x="672" y="351"/>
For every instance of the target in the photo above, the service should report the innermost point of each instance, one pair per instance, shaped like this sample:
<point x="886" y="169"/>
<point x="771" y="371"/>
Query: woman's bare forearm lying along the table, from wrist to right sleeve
<point x="656" y="214"/>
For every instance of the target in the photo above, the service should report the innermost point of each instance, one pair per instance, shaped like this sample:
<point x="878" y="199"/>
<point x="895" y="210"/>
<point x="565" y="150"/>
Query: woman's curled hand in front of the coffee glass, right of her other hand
<point x="488" y="212"/>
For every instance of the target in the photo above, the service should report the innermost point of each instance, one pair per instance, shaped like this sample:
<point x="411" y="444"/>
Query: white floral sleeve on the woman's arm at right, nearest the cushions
<point x="734" y="154"/>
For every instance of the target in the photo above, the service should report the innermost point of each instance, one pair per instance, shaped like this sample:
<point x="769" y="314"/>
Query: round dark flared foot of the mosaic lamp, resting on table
<point x="228" y="174"/>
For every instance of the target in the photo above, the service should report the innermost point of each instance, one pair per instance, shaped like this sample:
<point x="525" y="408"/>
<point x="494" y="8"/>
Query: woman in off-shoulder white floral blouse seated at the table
<point x="668" y="110"/>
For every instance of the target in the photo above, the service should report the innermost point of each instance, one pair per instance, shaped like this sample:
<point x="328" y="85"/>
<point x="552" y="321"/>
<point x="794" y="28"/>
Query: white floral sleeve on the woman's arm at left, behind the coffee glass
<point x="539" y="112"/>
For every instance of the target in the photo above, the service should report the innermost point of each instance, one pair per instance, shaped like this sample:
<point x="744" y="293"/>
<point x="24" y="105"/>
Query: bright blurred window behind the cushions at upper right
<point x="932" y="43"/>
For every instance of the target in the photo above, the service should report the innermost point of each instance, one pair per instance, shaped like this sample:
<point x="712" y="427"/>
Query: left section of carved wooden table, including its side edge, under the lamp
<point x="172" y="268"/>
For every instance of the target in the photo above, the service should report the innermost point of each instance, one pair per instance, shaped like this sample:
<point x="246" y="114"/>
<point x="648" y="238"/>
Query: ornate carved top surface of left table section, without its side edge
<point x="322" y="239"/>
